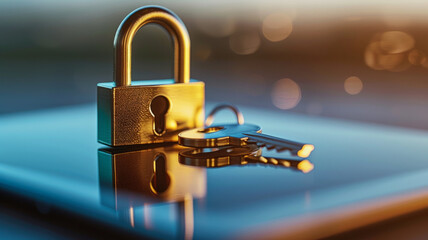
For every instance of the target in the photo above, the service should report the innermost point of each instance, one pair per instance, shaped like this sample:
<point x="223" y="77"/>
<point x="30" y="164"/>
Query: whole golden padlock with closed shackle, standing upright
<point x="155" y="111"/>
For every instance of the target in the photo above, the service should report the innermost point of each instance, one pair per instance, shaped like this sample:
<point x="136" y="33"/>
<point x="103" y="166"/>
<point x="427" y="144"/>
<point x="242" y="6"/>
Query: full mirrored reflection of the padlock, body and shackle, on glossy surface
<point x="134" y="182"/>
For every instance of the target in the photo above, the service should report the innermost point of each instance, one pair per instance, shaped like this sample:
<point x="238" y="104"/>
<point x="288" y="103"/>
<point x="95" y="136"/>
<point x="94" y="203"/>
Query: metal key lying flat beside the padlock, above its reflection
<point x="240" y="135"/>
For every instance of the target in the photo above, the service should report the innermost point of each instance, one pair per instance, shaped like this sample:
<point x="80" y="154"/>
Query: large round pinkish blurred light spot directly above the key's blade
<point x="286" y="94"/>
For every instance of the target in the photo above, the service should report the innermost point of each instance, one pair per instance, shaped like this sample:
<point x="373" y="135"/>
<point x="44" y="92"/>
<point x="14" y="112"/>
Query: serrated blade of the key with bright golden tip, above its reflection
<point x="300" y="149"/>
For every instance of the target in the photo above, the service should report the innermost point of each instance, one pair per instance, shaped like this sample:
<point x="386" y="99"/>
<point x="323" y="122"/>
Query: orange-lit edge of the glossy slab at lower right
<point x="350" y="217"/>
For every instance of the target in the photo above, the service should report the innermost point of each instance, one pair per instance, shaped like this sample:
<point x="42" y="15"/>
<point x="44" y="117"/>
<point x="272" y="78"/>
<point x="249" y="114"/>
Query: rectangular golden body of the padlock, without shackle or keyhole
<point x="125" y="116"/>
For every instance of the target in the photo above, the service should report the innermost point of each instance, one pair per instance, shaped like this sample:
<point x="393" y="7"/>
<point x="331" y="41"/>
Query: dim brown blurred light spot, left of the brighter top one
<point x="244" y="43"/>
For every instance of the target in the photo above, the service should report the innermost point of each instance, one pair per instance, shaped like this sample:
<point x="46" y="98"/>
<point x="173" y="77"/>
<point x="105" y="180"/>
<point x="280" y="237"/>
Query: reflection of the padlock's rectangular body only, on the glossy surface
<point x="147" y="176"/>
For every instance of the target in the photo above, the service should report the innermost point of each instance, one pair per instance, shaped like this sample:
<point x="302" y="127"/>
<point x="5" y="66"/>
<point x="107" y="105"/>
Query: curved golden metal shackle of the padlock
<point x="129" y="27"/>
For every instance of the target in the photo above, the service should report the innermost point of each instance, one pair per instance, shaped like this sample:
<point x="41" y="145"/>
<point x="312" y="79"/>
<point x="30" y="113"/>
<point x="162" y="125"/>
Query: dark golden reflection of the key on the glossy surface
<point x="227" y="156"/>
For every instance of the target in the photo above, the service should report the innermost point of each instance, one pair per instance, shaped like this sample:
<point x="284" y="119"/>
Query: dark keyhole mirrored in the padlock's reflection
<point x="160" y="180"/>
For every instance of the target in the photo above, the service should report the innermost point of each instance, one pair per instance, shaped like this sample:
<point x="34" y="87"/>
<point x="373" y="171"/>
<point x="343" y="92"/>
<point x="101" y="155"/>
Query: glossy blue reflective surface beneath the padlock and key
<point x="52" y="156"/>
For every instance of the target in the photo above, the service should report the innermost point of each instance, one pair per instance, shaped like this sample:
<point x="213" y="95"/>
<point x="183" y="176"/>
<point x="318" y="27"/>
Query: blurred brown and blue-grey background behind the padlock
<point x="360" y="60"/>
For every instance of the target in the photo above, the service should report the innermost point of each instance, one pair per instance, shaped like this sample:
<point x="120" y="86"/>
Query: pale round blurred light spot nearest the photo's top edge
<point x="277" y="27"/>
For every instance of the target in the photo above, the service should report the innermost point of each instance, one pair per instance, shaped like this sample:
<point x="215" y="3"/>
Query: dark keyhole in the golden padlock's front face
<point x="159" y="107"/>
